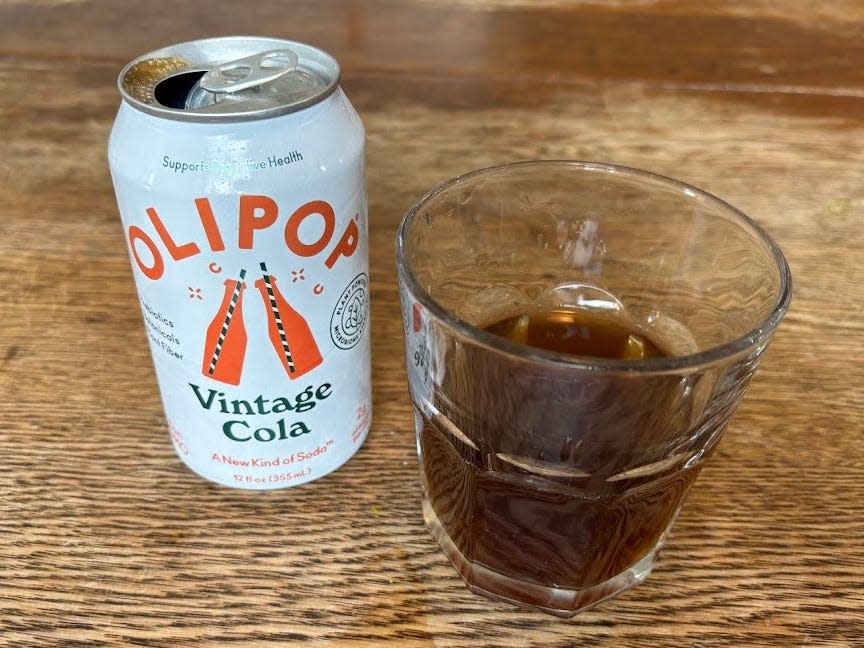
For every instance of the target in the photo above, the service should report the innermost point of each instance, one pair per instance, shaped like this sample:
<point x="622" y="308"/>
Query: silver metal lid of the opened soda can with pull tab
<point x="229" y="79"/>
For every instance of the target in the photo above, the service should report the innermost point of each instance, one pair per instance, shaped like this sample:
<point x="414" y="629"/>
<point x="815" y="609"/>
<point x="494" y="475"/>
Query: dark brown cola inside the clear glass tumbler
<point x="534" y="472"/>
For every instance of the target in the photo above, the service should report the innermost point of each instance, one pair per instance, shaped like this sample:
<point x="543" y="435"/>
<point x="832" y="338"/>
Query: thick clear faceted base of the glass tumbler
<point x="562" y="603"/>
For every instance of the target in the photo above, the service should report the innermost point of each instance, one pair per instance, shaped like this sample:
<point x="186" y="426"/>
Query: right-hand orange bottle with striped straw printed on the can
<point x="289" y="332"/>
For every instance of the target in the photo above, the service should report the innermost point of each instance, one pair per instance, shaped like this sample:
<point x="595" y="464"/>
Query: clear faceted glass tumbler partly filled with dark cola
<point x="551" y="479"/>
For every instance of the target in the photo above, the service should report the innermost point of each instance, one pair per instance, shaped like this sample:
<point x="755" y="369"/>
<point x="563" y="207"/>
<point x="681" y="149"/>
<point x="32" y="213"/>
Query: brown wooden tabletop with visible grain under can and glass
<point x="105" y="537"/>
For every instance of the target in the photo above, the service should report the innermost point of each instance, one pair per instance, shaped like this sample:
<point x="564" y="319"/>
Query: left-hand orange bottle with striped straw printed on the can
<point x="225" y="342"/>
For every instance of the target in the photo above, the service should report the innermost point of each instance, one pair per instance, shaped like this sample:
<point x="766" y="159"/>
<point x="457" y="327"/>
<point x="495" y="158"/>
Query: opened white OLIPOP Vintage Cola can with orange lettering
<point x="238" y="166"/>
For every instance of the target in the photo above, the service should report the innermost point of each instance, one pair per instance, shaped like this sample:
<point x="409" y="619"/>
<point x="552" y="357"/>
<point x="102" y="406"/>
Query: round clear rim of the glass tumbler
<point x="667" y="364"/>
